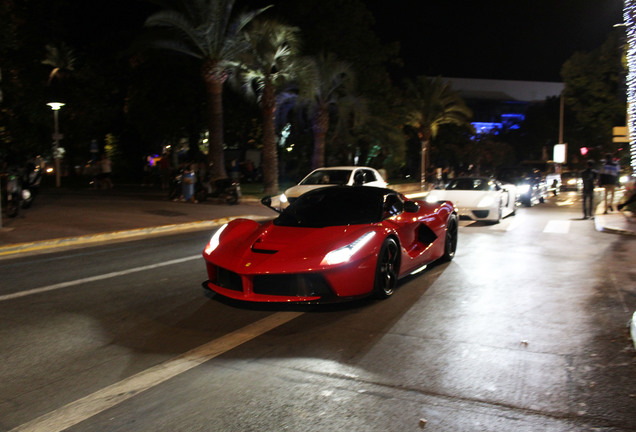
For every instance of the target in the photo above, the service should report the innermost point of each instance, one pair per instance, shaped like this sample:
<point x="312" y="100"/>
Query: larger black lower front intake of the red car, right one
<point x="292" y="285"/>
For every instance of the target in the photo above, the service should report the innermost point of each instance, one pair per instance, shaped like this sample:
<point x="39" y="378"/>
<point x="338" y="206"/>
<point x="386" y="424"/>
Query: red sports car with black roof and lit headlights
<point x="334" y="243"/>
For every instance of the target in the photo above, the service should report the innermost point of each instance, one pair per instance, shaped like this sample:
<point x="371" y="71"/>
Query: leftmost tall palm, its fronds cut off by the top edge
<point x="205" y="30"/>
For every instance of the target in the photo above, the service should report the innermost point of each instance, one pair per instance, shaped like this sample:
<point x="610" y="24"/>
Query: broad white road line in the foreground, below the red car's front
<point x="93" y="404"/>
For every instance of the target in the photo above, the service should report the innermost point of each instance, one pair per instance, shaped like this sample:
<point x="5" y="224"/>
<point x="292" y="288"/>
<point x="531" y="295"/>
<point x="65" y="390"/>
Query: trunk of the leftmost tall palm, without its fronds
<point x="214" y="86"/>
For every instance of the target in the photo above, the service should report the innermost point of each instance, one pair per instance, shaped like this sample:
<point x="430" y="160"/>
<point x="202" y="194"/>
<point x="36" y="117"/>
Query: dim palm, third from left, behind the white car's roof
<point x="328" y="85"/>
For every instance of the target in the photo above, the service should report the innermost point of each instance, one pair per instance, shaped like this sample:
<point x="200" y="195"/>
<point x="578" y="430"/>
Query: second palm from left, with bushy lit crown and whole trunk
<point x="266" y="67"/>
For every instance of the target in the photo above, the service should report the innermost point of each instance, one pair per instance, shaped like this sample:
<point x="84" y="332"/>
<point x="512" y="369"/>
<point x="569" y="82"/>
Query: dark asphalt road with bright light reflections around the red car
<point x="526" y="330"/>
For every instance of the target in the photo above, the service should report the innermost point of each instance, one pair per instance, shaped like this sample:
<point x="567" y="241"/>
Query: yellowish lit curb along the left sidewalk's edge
<point x="41" y="246"/>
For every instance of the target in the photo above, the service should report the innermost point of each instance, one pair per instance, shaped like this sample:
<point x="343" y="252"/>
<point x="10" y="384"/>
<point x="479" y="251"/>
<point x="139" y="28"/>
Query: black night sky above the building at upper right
<point x="494" y="39"/>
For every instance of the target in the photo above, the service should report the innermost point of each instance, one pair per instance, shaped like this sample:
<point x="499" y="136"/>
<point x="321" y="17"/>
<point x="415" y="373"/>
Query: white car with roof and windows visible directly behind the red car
<point x="334" y="176"/>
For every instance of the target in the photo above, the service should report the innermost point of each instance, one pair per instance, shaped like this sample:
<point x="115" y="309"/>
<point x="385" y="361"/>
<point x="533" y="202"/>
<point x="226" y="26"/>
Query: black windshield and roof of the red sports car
<point x="335" y="206"/>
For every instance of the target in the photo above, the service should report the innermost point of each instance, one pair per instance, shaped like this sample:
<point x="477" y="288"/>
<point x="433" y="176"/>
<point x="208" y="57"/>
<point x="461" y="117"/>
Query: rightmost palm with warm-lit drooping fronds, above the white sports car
<point x="430" y="104"/>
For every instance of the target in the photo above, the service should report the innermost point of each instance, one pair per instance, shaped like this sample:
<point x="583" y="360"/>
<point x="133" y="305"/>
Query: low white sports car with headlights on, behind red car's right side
<point x="478" y="198"/>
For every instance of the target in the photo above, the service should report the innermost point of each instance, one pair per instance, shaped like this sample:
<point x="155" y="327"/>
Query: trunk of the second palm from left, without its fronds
<point x="270" y="155"/>
